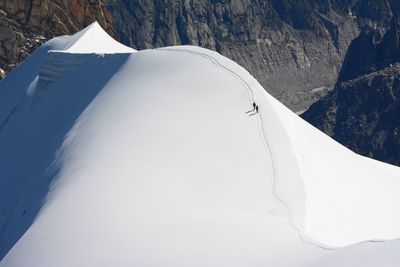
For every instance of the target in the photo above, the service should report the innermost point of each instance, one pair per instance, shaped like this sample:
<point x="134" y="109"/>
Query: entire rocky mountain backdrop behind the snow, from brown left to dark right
<point x="295" y="49"/>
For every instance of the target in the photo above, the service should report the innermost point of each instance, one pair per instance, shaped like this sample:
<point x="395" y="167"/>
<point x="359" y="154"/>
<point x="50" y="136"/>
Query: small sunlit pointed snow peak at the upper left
<point x="93" y="39"/>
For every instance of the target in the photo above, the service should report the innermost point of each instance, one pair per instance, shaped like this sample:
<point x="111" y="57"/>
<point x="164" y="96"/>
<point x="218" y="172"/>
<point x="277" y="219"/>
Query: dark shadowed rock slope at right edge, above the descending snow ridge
<point x="363" y="111"/>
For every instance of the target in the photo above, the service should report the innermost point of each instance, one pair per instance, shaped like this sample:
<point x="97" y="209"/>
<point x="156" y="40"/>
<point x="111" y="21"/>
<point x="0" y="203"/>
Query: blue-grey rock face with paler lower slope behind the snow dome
<point x="294" y="48"/>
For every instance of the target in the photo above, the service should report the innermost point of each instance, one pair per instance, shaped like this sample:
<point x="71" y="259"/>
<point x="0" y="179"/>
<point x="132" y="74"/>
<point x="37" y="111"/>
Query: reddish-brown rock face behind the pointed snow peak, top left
<point x="26" y="24"/>
